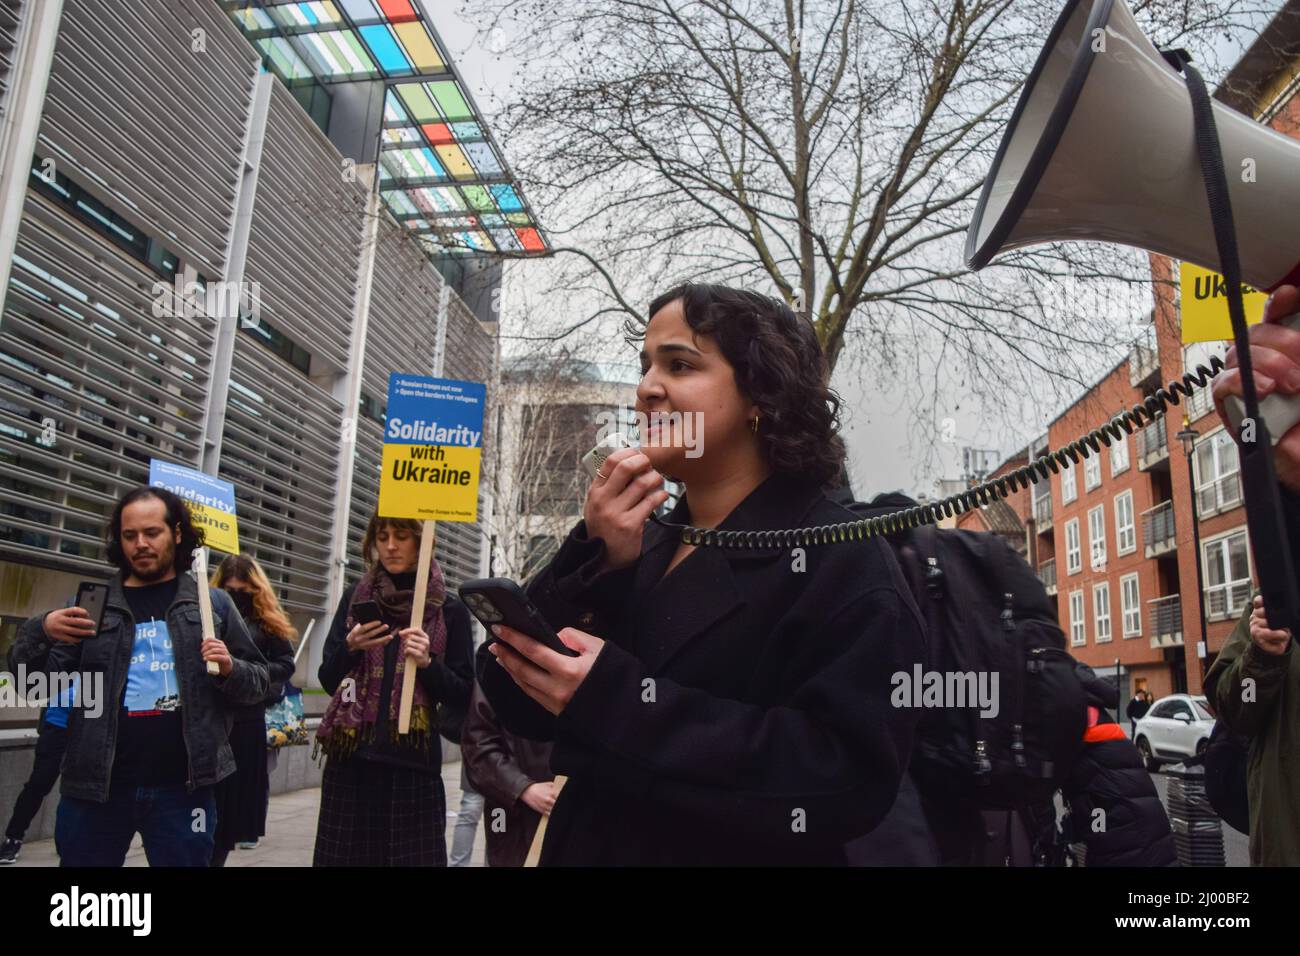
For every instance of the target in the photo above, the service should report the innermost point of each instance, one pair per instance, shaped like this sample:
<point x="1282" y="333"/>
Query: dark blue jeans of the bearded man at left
<point x="177" y="827"/>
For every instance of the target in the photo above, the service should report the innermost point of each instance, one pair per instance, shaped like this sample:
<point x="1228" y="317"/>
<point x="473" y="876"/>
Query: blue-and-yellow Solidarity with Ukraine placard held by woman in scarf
<point x="432" y="449"/>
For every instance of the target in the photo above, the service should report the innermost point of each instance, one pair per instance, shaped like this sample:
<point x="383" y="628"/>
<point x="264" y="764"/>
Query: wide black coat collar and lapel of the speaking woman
<point x="674" y="611"/>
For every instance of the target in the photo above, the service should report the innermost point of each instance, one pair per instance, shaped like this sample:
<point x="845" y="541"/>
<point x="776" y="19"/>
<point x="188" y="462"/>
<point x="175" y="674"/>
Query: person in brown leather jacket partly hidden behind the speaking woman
<point x="515" y="778"/>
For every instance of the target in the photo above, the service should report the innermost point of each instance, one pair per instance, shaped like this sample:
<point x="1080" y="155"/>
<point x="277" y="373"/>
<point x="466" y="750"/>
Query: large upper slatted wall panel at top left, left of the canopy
<point x="155" y="128"/>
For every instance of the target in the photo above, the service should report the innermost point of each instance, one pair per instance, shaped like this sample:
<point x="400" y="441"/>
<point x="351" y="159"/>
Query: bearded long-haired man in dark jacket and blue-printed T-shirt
<point x="150" y="764"/>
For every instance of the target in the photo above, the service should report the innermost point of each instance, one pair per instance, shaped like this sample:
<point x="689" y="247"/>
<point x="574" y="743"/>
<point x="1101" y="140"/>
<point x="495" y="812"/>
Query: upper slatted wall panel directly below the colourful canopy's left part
<point x="306" y="235"/>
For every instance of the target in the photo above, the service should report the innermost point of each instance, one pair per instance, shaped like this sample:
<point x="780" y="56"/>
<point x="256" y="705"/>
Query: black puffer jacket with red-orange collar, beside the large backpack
<point x="1108" y="776"/>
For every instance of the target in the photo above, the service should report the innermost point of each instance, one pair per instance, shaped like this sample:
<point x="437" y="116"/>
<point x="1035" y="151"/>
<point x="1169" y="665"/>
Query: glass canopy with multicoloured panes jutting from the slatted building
<point x="441" y="174"/>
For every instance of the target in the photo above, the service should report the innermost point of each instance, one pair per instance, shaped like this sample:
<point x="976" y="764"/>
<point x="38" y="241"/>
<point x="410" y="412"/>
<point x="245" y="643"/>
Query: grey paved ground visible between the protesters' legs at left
<point x="291" y="833"/>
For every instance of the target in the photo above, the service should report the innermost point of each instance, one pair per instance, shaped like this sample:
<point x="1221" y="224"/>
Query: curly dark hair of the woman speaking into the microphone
<point x="779" y="366"/>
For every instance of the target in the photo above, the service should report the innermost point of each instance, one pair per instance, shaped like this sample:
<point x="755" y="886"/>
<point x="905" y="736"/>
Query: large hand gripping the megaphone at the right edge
<point x="1276" y="358"/>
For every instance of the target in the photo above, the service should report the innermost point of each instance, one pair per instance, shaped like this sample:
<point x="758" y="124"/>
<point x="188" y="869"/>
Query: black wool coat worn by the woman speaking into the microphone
<point x="739" y="712"/>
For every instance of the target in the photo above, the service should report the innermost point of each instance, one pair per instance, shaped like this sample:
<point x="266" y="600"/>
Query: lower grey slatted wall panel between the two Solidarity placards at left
<point x="280" y="449"/>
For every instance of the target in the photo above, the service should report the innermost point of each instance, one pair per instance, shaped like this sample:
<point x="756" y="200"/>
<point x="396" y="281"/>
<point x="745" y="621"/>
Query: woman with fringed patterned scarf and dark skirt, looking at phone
<point x="383" y="802"/>
